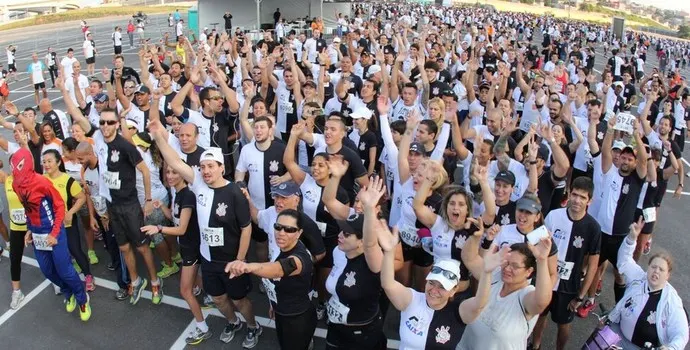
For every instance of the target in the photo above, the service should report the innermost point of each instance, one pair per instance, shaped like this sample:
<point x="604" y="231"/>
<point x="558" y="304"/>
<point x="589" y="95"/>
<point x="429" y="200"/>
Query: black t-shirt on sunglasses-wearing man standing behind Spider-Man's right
<point x="123" y="158"/>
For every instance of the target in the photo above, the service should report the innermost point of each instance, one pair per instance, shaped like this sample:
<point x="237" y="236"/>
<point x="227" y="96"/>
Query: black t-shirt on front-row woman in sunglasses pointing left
<point x="292" y="292"/>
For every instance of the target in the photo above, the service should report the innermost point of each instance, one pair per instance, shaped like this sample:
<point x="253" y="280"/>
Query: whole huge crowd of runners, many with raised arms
<point x="468" y="168"/>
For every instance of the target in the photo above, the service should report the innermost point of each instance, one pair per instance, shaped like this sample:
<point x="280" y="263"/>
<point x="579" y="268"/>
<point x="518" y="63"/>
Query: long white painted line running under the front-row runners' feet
<point x="177" y="302"/>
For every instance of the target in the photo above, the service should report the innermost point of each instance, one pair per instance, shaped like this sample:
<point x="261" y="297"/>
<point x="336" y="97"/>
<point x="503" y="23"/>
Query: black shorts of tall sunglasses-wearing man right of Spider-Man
<point x="126" y="222"/>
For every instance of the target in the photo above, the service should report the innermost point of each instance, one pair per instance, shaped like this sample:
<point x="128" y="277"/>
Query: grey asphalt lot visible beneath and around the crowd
<point x="42" y="323"/>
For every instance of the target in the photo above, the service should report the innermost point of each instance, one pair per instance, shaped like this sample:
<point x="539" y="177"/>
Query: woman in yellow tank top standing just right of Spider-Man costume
<point x="74" y="198"/>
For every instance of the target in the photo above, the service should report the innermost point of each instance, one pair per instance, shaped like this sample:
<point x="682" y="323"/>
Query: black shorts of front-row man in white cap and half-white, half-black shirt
<point x="217" y="282"/>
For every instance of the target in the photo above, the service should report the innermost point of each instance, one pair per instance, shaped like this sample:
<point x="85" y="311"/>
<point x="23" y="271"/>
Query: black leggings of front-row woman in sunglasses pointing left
<point x="295" y="332"/>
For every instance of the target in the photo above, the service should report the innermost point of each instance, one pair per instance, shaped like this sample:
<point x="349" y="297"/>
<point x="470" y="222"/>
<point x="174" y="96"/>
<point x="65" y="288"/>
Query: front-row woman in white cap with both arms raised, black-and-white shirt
<point x="434" y="319"/>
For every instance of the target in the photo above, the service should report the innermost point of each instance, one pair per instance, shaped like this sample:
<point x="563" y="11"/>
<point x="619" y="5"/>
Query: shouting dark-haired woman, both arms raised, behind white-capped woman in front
<point x="454" y="223"/>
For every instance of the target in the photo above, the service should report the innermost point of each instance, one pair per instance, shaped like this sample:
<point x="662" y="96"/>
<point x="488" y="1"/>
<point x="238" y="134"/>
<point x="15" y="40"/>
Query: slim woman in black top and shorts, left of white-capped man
<point x="184" y="216"/>
